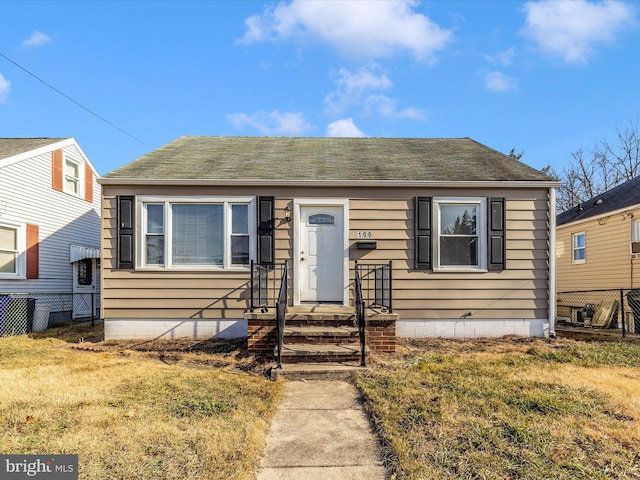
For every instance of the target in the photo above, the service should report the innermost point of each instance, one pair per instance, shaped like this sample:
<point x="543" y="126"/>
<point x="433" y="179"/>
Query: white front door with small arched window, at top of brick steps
<point x="321" y="254"/>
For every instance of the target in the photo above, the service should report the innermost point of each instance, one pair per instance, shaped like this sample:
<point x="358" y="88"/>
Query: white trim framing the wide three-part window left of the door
<point x="168" y="201"/>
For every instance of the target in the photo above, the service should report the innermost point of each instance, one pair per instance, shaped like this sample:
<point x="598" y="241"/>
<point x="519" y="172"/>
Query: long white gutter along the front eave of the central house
<point x="325" y="183"/>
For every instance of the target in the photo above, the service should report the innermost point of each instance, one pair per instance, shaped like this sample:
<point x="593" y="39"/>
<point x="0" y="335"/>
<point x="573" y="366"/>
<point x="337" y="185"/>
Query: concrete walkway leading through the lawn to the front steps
<point x="320" y="432"/>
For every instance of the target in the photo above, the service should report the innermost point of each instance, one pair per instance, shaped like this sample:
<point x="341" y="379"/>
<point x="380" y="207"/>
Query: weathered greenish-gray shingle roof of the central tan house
<point x="322" y="158"/>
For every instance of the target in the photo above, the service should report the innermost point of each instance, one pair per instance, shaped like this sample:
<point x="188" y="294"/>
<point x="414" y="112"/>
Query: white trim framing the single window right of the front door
<point x="481" y="225"/>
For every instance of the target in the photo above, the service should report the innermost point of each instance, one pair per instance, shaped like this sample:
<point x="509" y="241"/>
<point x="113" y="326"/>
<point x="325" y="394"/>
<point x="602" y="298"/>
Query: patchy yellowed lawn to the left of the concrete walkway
<point x="130" y="413"/>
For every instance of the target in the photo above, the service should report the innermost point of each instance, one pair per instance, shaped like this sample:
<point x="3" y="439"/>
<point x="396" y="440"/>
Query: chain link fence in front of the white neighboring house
<point x="22" y="313"/>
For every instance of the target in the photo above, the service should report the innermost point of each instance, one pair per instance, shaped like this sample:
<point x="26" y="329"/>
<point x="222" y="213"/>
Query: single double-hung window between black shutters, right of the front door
<point x="461" y="234"/>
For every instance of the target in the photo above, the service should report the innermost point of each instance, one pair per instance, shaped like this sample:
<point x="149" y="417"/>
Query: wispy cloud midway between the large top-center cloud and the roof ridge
<point x="351" y="87"/>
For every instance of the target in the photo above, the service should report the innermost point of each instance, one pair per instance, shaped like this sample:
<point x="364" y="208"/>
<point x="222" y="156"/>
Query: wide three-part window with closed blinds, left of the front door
<point x="196" y="233"/>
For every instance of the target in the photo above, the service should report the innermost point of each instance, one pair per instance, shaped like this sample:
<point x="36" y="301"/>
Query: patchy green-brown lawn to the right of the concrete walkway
<point x="511" y="408"/>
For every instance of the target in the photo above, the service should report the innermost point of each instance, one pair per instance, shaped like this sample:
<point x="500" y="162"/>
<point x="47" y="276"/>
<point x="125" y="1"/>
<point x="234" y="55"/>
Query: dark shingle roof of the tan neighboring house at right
<point x="624" y="195"/>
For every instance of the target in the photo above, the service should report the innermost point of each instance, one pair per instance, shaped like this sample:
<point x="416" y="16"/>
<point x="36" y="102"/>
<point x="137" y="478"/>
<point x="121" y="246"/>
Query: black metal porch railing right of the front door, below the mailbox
<point x="376" y="285"/>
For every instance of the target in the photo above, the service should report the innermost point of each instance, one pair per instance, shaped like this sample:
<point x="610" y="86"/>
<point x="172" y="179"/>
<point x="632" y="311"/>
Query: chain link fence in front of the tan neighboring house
<point x="616" y="310"/>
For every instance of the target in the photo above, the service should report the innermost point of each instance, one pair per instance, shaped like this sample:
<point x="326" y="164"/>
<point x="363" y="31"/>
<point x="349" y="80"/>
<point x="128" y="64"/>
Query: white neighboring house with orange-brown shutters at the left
<point x="49" y="229"/>
